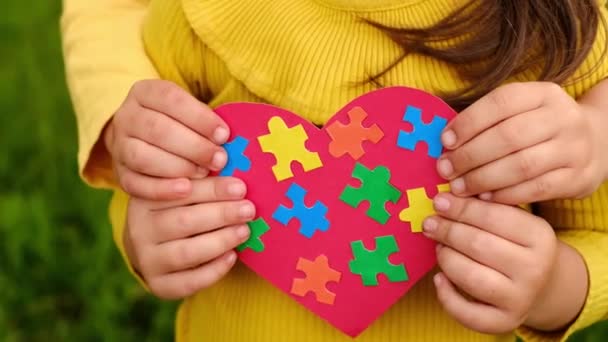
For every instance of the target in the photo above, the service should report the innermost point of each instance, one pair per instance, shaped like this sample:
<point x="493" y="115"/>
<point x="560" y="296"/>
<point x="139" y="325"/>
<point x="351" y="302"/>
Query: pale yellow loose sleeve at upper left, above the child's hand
<point x="104" y="56"/>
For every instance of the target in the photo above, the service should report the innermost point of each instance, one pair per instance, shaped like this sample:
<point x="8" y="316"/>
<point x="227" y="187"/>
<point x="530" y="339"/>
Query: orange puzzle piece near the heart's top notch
<point x="349" y="138"/>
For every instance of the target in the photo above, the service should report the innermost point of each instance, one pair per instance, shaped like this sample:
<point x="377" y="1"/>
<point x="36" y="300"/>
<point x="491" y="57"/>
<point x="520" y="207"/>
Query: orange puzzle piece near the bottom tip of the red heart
<point x="318" y="274"/>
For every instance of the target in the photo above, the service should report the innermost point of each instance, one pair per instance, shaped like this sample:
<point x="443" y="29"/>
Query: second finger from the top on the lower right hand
<point x="481" y="246"/>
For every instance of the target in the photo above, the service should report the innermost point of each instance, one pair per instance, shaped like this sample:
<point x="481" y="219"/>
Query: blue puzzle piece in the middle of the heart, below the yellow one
<point x="311" y="219"/>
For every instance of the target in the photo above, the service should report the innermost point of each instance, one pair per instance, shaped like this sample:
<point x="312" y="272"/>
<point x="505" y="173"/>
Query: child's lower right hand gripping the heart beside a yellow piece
<point x="501" y="256"/>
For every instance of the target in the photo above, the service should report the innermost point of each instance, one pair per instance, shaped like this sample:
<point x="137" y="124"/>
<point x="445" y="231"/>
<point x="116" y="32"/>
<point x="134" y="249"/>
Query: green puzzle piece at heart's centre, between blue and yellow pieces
<point x="375" y="188"/>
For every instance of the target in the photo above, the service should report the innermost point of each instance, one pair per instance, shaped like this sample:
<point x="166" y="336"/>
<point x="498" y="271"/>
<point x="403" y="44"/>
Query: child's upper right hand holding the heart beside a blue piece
<point x="523" y="143"/>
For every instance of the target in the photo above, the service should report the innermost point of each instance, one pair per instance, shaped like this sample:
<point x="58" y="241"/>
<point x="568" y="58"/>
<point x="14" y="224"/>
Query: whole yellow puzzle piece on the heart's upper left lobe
<point x="288" y="145"/>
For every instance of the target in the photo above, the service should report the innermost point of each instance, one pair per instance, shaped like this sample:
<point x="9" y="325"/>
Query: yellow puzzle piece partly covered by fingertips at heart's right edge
<point x="420" y="207"/>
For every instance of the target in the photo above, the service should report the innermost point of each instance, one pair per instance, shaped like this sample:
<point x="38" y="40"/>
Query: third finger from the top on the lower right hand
<point x="483" y="283"/>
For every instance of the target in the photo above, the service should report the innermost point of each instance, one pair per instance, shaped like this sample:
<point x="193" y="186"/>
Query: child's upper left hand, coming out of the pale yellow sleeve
<point x="160" y="137"/>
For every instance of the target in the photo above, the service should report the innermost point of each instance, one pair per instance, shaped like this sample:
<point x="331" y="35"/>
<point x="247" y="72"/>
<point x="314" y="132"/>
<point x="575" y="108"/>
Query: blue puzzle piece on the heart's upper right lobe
<point x="429" y="133"/>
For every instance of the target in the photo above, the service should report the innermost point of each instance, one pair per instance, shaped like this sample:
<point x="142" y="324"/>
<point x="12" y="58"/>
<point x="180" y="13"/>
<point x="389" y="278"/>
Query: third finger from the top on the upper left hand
<point x="150" y="160"/>
